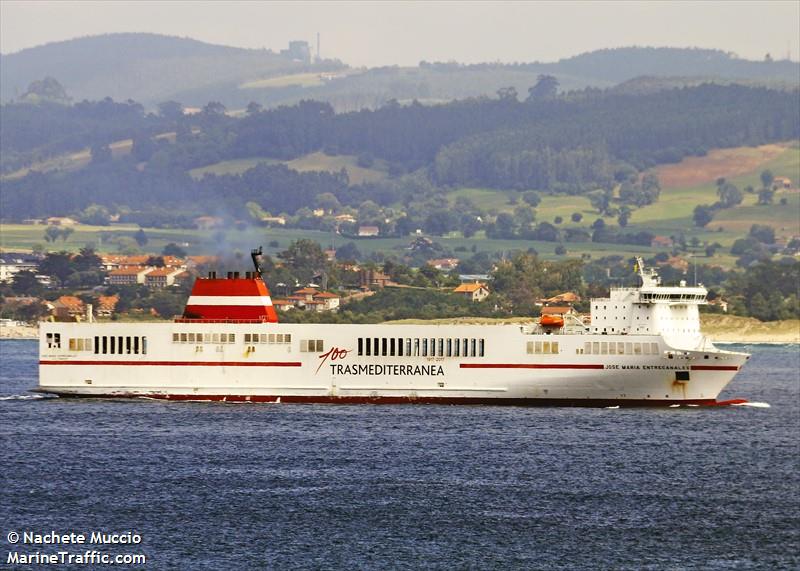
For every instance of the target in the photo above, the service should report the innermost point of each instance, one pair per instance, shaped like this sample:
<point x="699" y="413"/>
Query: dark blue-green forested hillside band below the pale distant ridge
<point x="579" y="143"/>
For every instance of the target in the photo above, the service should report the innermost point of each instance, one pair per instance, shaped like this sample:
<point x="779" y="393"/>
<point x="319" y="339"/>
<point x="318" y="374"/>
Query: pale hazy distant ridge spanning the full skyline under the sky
<point x="151" y="68"/>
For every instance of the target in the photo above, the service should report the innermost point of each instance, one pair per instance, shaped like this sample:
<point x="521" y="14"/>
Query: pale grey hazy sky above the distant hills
<point x="382" y="33"/>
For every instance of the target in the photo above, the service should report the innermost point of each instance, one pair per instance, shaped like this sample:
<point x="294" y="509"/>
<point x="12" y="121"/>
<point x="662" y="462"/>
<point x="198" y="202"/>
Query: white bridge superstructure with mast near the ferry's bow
<point x="652" y="309"/>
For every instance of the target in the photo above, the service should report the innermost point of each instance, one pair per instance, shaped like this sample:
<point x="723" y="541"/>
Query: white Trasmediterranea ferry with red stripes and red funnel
<point x="641" y="346"/>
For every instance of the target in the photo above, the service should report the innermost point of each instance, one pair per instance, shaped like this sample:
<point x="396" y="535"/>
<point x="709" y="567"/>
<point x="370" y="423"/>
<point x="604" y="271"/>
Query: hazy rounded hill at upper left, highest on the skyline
<point x="148" y="68"/>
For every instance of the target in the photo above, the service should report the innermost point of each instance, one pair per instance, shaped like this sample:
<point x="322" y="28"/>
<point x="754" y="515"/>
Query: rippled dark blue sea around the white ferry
<point x="246" y="486"/>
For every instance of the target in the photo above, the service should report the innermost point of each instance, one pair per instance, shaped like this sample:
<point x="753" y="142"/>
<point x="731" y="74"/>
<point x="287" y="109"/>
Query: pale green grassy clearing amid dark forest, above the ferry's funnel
<point x="311" y="162"/>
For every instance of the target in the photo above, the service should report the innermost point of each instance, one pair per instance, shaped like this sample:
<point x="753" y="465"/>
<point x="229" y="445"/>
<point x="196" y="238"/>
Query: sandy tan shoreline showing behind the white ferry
<point x="722" y="329"/>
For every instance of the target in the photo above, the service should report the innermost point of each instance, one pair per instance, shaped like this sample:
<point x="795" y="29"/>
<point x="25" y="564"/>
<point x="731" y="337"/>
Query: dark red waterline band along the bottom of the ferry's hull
<point x="298" y="399"/>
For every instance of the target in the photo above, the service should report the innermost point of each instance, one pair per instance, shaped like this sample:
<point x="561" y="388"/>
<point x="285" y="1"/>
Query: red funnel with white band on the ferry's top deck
<point x="233" y="298"/>
